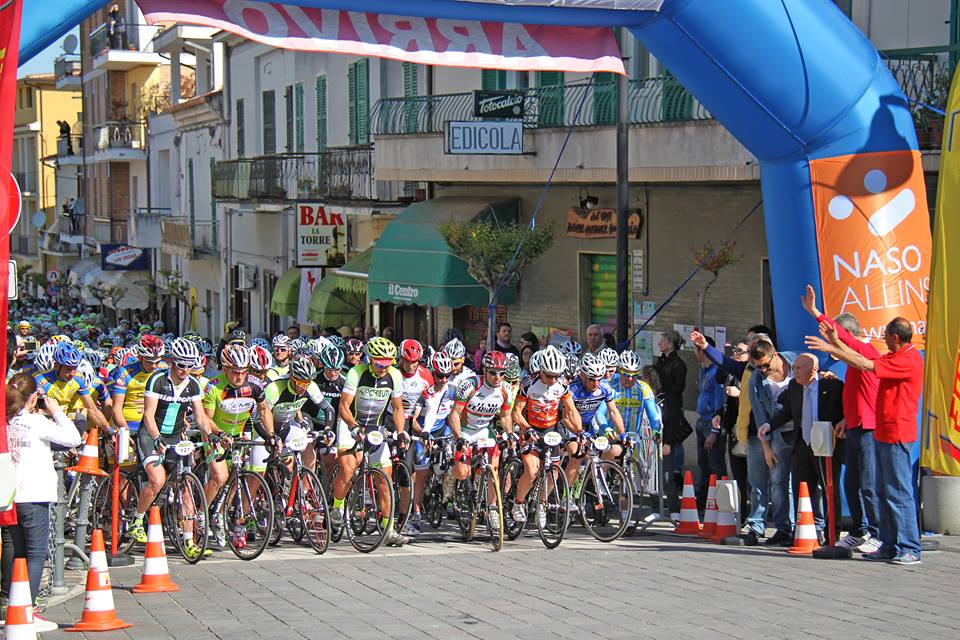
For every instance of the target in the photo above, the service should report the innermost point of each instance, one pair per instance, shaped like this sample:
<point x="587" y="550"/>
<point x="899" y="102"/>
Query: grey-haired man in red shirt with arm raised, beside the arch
<point x="859" y="421"/>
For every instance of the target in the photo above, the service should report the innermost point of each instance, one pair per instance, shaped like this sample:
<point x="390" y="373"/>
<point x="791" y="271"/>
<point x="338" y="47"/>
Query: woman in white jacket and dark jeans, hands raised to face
<point x="30" y="432"/>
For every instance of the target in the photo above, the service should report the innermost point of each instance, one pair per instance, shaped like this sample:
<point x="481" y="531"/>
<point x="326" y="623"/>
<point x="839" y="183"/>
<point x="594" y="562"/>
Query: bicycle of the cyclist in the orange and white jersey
<point x="547" y="498"/>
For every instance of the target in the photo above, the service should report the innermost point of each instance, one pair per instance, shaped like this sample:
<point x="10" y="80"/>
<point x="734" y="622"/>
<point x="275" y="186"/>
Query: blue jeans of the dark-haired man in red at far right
<point x="899" y="531"/>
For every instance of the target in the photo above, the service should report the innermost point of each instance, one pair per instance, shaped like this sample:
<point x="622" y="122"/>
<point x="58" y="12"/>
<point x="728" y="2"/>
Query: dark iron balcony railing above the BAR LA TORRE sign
<point x="342" y="173"/>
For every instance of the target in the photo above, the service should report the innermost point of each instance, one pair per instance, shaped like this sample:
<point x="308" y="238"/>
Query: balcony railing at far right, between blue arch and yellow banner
<point x="925" y="75"/>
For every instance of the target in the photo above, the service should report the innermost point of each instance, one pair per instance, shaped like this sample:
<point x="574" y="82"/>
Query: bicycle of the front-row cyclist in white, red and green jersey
<point x="471" y="497"/>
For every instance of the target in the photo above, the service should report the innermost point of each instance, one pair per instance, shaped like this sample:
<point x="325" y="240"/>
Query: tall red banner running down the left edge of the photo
<point x="10" y="14"/>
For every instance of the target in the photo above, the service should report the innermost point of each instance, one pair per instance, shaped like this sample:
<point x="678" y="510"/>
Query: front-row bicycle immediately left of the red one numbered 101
<point x="243" y="508"/>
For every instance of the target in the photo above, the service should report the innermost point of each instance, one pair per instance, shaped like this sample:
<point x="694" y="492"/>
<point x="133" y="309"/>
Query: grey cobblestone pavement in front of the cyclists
<point x="658" y="586"/>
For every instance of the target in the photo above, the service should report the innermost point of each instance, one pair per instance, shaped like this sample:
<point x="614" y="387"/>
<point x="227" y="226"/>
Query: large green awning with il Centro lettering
<point x="412" y="263"/>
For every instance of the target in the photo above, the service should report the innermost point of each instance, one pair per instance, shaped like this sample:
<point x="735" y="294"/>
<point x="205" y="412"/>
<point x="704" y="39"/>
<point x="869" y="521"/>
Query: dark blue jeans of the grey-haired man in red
<point x="860" y="481"/>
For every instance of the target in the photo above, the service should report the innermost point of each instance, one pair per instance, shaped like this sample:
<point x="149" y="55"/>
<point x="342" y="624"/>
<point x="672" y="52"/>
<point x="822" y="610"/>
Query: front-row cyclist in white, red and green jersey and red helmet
<point x="480" y="402"/>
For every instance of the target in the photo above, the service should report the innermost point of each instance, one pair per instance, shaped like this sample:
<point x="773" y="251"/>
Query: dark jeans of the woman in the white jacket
<point x="26" y="539"/>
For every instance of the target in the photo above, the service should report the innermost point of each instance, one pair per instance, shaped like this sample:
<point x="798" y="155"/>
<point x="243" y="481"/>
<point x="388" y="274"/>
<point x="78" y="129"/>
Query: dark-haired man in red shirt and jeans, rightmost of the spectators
<point x="900" y="375"/>
